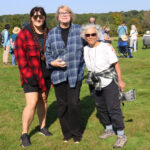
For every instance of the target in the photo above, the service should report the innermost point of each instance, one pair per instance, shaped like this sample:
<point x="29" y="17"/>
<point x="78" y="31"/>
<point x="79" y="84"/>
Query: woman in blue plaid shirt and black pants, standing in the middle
<point x="64" y="55"/>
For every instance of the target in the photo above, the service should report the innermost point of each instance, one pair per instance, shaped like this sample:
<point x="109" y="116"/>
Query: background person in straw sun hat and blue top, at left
<point x="13" y="36"/>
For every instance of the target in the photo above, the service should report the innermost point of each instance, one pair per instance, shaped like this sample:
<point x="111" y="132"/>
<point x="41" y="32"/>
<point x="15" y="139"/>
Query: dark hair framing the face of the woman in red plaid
<point x="42" y="11"/>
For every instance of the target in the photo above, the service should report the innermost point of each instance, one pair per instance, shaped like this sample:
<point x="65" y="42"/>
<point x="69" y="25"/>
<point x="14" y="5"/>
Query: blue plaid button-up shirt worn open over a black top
<point x="72" y="54"/>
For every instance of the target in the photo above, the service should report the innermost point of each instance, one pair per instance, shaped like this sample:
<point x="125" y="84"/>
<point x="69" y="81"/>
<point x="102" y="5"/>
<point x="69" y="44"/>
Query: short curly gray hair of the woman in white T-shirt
<point x="87" y="26"/>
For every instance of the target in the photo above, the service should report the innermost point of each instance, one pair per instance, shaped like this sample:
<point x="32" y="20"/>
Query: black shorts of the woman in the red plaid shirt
<point x="28" y="88"/>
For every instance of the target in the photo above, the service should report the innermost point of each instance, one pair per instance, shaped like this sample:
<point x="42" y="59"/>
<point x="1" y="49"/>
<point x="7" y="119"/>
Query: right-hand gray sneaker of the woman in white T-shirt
<point x="120" y="142"/>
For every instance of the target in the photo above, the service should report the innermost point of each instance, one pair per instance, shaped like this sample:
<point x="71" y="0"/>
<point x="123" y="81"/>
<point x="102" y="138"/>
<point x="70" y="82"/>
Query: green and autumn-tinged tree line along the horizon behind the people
<point x="141" y="19"/>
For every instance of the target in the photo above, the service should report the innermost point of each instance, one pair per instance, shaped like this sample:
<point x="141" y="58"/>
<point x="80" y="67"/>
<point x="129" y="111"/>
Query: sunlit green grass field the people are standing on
<point x="136" y="114"/>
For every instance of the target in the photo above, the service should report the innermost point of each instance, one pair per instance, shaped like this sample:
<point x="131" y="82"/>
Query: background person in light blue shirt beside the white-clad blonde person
<point x="122" y="30"/>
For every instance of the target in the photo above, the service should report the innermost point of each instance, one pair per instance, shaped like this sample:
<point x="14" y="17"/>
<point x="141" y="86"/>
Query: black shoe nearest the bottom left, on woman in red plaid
<point x="25" y="140"/>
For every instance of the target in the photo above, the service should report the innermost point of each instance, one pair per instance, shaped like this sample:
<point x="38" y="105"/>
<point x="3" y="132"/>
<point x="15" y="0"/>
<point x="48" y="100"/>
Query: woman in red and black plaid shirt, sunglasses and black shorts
<point x="35" y="78"/>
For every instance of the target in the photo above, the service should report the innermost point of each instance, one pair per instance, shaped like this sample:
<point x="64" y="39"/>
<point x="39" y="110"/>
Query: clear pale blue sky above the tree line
<point x="8" y="7"/>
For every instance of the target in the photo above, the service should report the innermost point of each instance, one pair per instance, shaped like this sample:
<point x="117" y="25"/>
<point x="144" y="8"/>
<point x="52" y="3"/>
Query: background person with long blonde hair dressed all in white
<point x="133" y="37"/>
